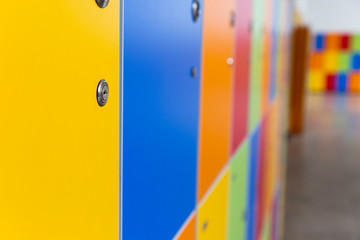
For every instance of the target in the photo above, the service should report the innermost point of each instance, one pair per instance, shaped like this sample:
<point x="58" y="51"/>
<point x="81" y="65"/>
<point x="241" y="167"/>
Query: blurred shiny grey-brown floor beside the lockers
<point x="323" y="175"/>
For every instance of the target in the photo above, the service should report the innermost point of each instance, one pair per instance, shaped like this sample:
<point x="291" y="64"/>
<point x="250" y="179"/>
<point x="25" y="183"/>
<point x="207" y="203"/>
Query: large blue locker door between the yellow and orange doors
<point x="162" y="44"/>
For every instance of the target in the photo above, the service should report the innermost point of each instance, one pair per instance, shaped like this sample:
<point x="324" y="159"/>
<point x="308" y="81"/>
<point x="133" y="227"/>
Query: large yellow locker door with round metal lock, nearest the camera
<point x="59" y="150"/>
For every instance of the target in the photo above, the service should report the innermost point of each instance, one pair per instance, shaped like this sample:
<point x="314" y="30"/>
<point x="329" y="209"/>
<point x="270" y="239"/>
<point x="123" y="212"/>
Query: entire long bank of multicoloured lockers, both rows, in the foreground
<point x="137" y="119"/>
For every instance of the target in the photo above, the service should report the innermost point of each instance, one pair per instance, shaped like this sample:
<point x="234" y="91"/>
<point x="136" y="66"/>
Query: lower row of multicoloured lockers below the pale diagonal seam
<point x="243" y="203"/>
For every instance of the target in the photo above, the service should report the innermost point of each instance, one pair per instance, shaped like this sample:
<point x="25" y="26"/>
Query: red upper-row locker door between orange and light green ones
<point x="241" y="74"/>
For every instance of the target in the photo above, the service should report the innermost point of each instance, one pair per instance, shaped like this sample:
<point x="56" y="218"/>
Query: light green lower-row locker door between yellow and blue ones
<point x="238" y="193"/>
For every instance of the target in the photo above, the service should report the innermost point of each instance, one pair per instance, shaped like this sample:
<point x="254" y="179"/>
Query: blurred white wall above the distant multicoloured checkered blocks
<point x="330" y="15"/>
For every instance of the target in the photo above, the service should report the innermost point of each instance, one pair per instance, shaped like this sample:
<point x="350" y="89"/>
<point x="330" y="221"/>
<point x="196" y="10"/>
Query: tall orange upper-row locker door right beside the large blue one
<point x="216" y="99"/>
